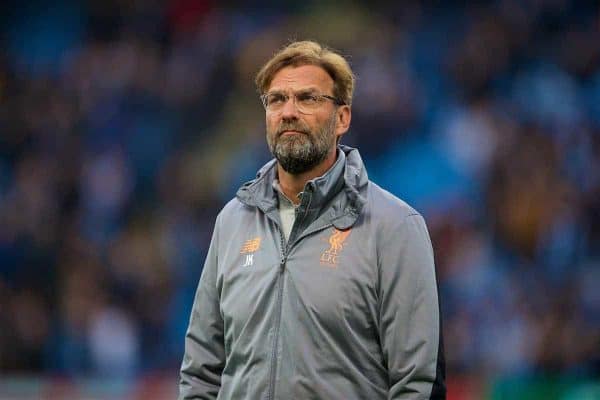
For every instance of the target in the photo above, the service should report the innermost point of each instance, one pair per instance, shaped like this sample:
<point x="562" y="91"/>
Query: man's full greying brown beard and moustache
<point x="301" y="152"/>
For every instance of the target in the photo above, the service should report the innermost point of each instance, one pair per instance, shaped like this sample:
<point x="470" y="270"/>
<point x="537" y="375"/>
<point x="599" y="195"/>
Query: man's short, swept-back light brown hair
<point x="310" y="53"/>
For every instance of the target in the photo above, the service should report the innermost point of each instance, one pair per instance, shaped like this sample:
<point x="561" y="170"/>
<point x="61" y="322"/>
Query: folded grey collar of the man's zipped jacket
<point x="340" y="192"/>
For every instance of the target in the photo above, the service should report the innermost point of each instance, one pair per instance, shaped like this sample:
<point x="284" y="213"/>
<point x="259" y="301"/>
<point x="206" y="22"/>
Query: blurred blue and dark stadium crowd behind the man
<point x="126" y="125"/>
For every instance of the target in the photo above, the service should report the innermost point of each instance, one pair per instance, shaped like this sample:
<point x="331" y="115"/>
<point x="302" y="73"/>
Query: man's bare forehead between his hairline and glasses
<point x="301" y="77"/>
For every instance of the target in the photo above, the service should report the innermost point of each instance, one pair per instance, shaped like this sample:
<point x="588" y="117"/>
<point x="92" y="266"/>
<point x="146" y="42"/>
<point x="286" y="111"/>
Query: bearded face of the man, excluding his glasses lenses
<point x="301" y="141"/>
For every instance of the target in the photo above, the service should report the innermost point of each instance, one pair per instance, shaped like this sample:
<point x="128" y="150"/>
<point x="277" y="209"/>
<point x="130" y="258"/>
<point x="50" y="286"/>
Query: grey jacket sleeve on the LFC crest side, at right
<point x="409" y="316"/>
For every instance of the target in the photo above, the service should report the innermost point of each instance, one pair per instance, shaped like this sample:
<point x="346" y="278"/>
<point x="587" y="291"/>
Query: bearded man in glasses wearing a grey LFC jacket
<point x="318" y="284"/>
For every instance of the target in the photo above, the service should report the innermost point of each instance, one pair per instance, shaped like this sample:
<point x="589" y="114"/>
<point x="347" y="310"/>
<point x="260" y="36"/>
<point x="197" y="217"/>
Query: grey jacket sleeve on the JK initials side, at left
<point x="204" y="357"/>
